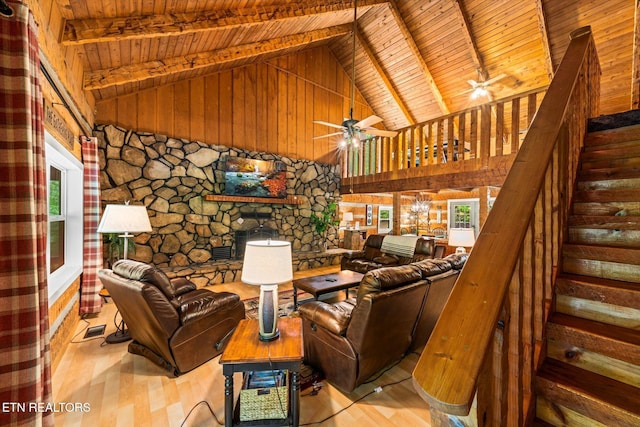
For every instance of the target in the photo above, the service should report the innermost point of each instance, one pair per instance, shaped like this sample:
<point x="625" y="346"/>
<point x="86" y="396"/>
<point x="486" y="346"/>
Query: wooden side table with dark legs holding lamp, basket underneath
<point x="245" y="352"/>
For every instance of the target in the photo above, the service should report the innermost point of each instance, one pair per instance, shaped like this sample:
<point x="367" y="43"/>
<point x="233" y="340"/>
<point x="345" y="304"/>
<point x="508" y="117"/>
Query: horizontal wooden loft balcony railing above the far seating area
<point x="490" y="130"/>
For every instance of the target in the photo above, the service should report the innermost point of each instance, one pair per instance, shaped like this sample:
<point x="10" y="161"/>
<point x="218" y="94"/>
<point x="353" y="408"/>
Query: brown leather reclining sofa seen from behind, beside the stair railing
<point x="393" y="313"/>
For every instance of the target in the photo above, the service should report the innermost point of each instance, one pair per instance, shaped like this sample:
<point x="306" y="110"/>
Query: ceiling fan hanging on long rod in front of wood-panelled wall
<point x="352" y="129"/>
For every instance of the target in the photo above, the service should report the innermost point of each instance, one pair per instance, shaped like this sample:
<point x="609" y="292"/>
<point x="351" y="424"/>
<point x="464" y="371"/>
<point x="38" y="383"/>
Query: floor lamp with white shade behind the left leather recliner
<point x="124" y="219"/>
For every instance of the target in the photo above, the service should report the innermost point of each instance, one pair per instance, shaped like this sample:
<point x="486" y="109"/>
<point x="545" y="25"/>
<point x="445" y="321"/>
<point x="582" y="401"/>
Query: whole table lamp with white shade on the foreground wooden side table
<point x="267" y="263"/>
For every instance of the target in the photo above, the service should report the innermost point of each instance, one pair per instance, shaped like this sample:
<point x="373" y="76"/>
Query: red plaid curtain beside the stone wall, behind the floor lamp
<point x="90" y="301"/>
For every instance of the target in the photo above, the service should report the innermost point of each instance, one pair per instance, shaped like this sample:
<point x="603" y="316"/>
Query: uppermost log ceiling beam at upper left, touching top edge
<point x="131" y="27"/>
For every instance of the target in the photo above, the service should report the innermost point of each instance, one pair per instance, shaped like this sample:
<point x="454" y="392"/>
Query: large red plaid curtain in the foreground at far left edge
<point x="25" y="372"/>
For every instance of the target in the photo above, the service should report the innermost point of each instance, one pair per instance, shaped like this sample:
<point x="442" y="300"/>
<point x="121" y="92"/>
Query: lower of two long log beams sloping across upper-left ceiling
<point x="100" y="79"/>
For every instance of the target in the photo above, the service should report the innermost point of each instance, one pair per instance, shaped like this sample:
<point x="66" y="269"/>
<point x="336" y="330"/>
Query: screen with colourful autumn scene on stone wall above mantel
<point x="255" y="178"/>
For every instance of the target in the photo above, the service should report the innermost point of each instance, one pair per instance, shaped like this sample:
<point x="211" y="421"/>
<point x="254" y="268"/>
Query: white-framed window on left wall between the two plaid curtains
<point x="64" y="251"/>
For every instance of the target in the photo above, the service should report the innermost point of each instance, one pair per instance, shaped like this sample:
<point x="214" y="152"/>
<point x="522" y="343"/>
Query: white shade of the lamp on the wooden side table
<point x="267" y="262"/>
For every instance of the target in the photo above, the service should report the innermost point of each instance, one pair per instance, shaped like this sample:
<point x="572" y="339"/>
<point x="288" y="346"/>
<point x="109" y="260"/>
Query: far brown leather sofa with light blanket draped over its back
<point x="371" y="256"/>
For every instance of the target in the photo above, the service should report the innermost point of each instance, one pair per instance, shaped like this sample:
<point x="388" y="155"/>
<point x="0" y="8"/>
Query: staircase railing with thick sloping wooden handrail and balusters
<point x="480" y="362"/>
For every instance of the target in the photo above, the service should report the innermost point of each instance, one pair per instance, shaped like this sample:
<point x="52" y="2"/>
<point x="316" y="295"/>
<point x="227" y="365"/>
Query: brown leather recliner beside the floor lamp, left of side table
<point x="172" y="323"/>
